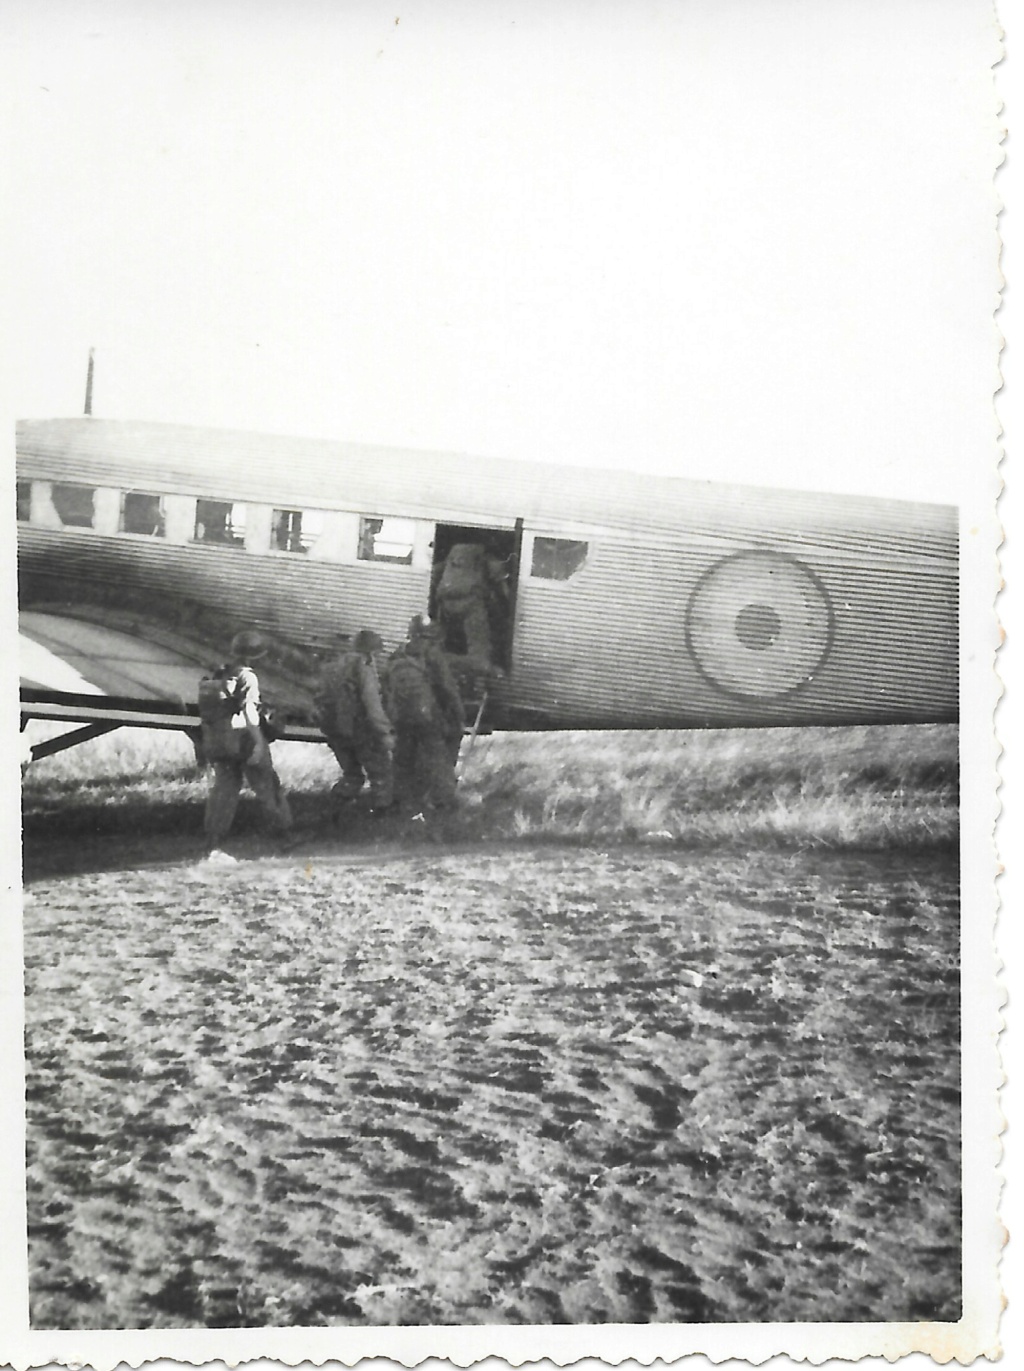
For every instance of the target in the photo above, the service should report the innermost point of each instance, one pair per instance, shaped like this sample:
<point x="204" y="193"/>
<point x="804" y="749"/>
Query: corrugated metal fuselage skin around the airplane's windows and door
<point x="696" y="605"/>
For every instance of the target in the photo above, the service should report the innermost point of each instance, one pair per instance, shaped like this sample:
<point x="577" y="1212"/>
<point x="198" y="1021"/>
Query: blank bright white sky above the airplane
<point x="724" y="239"/>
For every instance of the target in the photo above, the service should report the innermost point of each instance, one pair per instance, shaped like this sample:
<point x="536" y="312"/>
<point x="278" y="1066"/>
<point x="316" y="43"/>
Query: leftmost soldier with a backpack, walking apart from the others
<point x="235" y="745"/>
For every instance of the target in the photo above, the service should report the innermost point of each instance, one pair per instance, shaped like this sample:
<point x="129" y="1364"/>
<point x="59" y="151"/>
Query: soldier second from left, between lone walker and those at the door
<point x="350" y="711"/>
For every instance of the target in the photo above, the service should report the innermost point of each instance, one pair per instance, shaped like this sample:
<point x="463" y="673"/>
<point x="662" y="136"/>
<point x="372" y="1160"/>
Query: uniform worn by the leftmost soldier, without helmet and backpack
<point x="238" y="752"/>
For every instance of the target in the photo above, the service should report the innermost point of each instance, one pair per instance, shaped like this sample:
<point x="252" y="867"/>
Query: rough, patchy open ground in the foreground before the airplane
<point x="511" y="1087"/>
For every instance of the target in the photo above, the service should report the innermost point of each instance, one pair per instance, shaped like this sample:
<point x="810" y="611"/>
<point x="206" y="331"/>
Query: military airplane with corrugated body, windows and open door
<point x="631" y="601"/>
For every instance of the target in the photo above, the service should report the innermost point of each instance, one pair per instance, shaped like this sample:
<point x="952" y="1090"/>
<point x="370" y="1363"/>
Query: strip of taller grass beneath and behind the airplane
<point x="838" y="789"/>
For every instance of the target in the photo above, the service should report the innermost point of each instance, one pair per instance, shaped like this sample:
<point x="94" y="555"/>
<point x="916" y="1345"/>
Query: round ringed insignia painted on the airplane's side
<point x="759" y="624"/>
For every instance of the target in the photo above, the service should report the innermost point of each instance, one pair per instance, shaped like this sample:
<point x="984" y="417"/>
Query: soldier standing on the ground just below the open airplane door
<point x="427" y="709"/>
